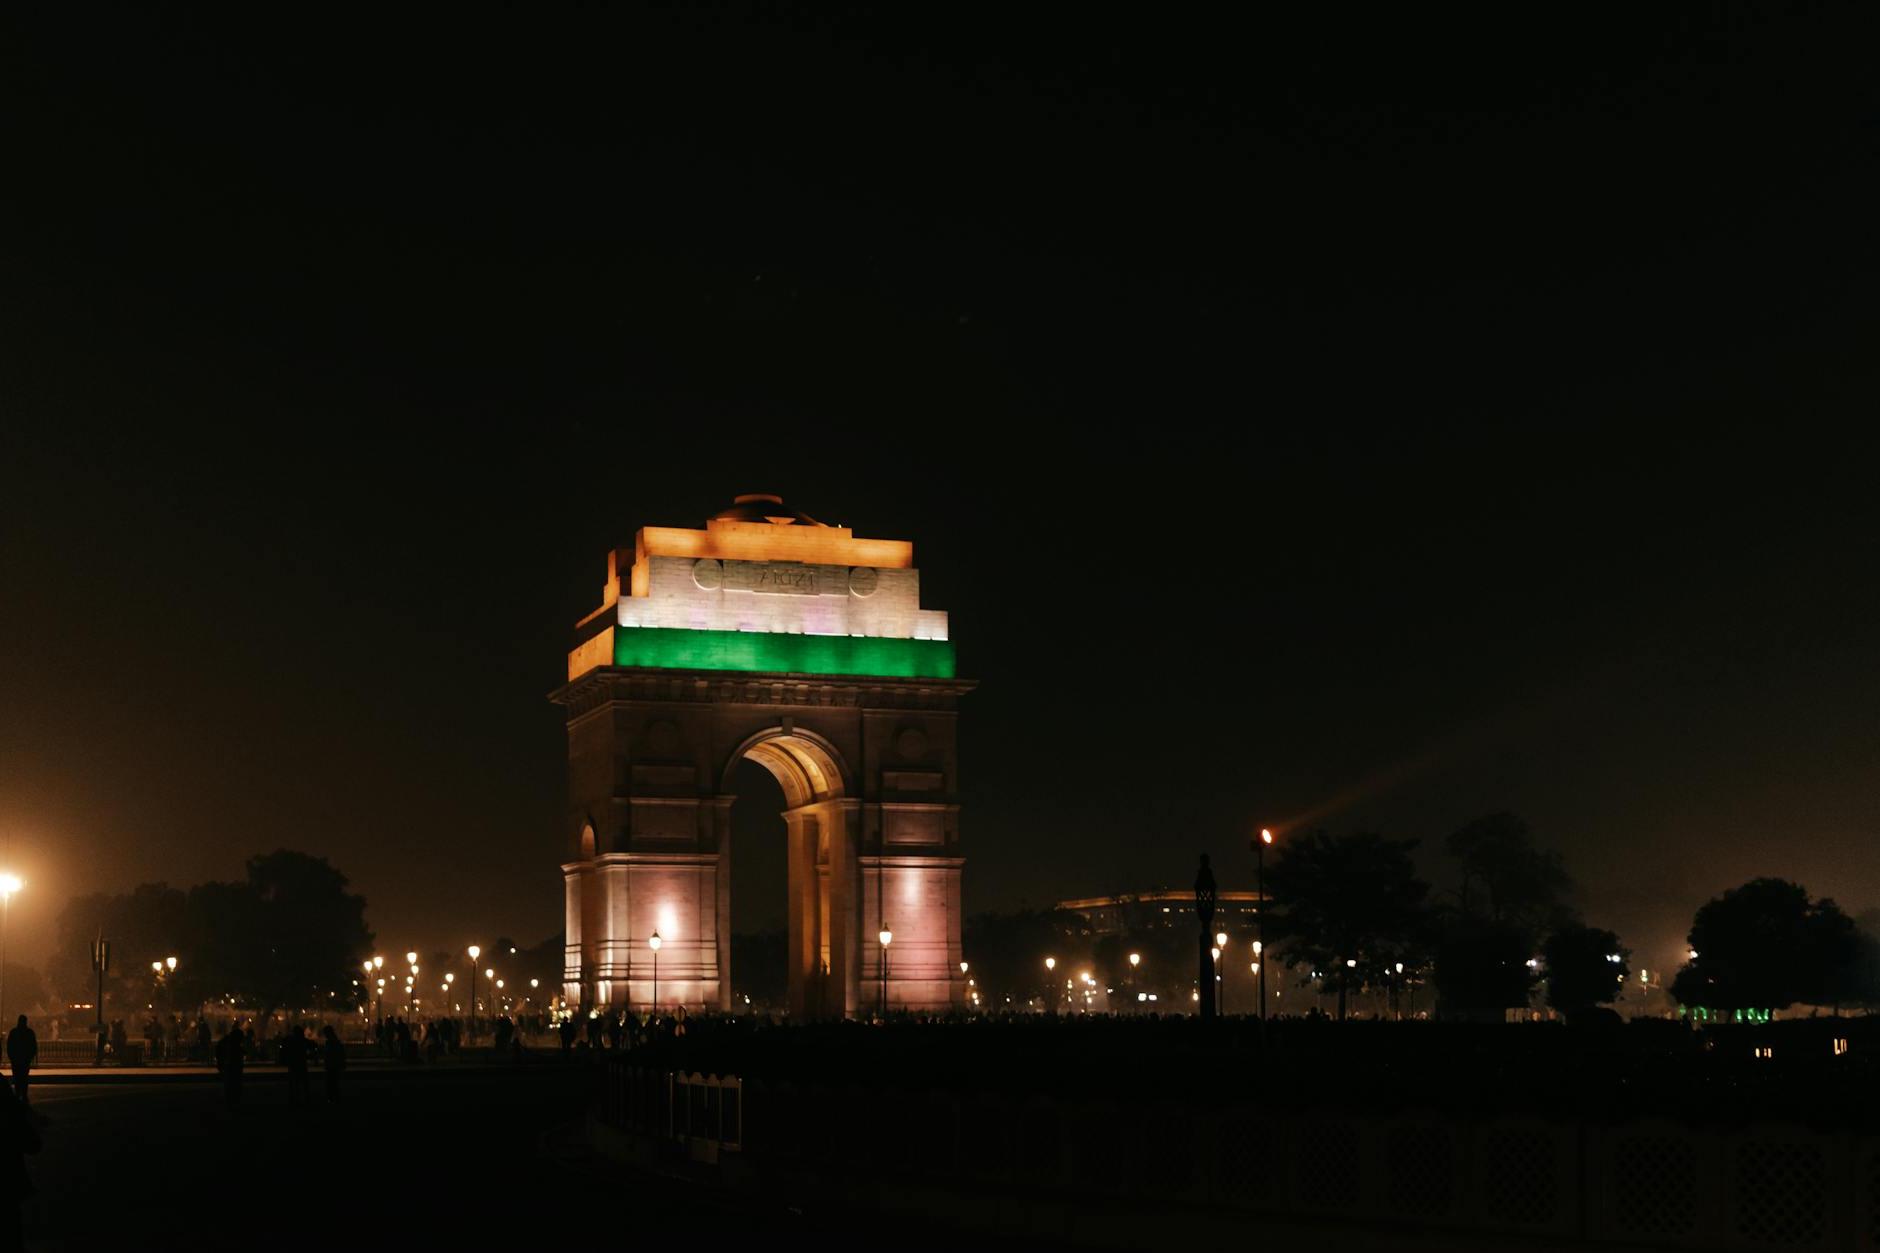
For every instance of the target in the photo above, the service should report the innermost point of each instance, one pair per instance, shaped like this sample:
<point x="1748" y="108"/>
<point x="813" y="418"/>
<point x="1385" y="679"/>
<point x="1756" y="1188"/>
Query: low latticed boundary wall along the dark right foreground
<point x="1650" y="1182"/>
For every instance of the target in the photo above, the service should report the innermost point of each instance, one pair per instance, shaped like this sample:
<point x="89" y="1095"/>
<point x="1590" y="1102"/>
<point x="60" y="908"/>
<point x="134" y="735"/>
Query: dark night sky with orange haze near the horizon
<point x="1353" y="422"/>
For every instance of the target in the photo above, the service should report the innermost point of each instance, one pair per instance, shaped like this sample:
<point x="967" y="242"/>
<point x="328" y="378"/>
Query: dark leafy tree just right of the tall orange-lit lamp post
<point x="1349" y="898"/>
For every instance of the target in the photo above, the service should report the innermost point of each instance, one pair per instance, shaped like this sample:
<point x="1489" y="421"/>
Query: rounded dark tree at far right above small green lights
<point x="1766" y="945"/>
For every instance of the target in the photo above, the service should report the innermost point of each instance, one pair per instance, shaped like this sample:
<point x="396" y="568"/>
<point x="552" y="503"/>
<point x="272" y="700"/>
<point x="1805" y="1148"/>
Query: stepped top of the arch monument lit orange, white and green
<point x="772" y="590"/>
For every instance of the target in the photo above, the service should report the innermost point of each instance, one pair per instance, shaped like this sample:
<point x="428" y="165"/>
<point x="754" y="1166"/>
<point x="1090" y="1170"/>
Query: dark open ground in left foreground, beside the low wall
<point x="420" y="1160"/>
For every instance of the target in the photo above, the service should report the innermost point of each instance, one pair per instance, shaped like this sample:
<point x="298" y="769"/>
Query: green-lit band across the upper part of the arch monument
<point x="665" y="648"/>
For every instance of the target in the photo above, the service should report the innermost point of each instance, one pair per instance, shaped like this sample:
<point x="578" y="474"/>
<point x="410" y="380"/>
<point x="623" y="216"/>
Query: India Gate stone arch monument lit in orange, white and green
<point x="774" y="637"/>
